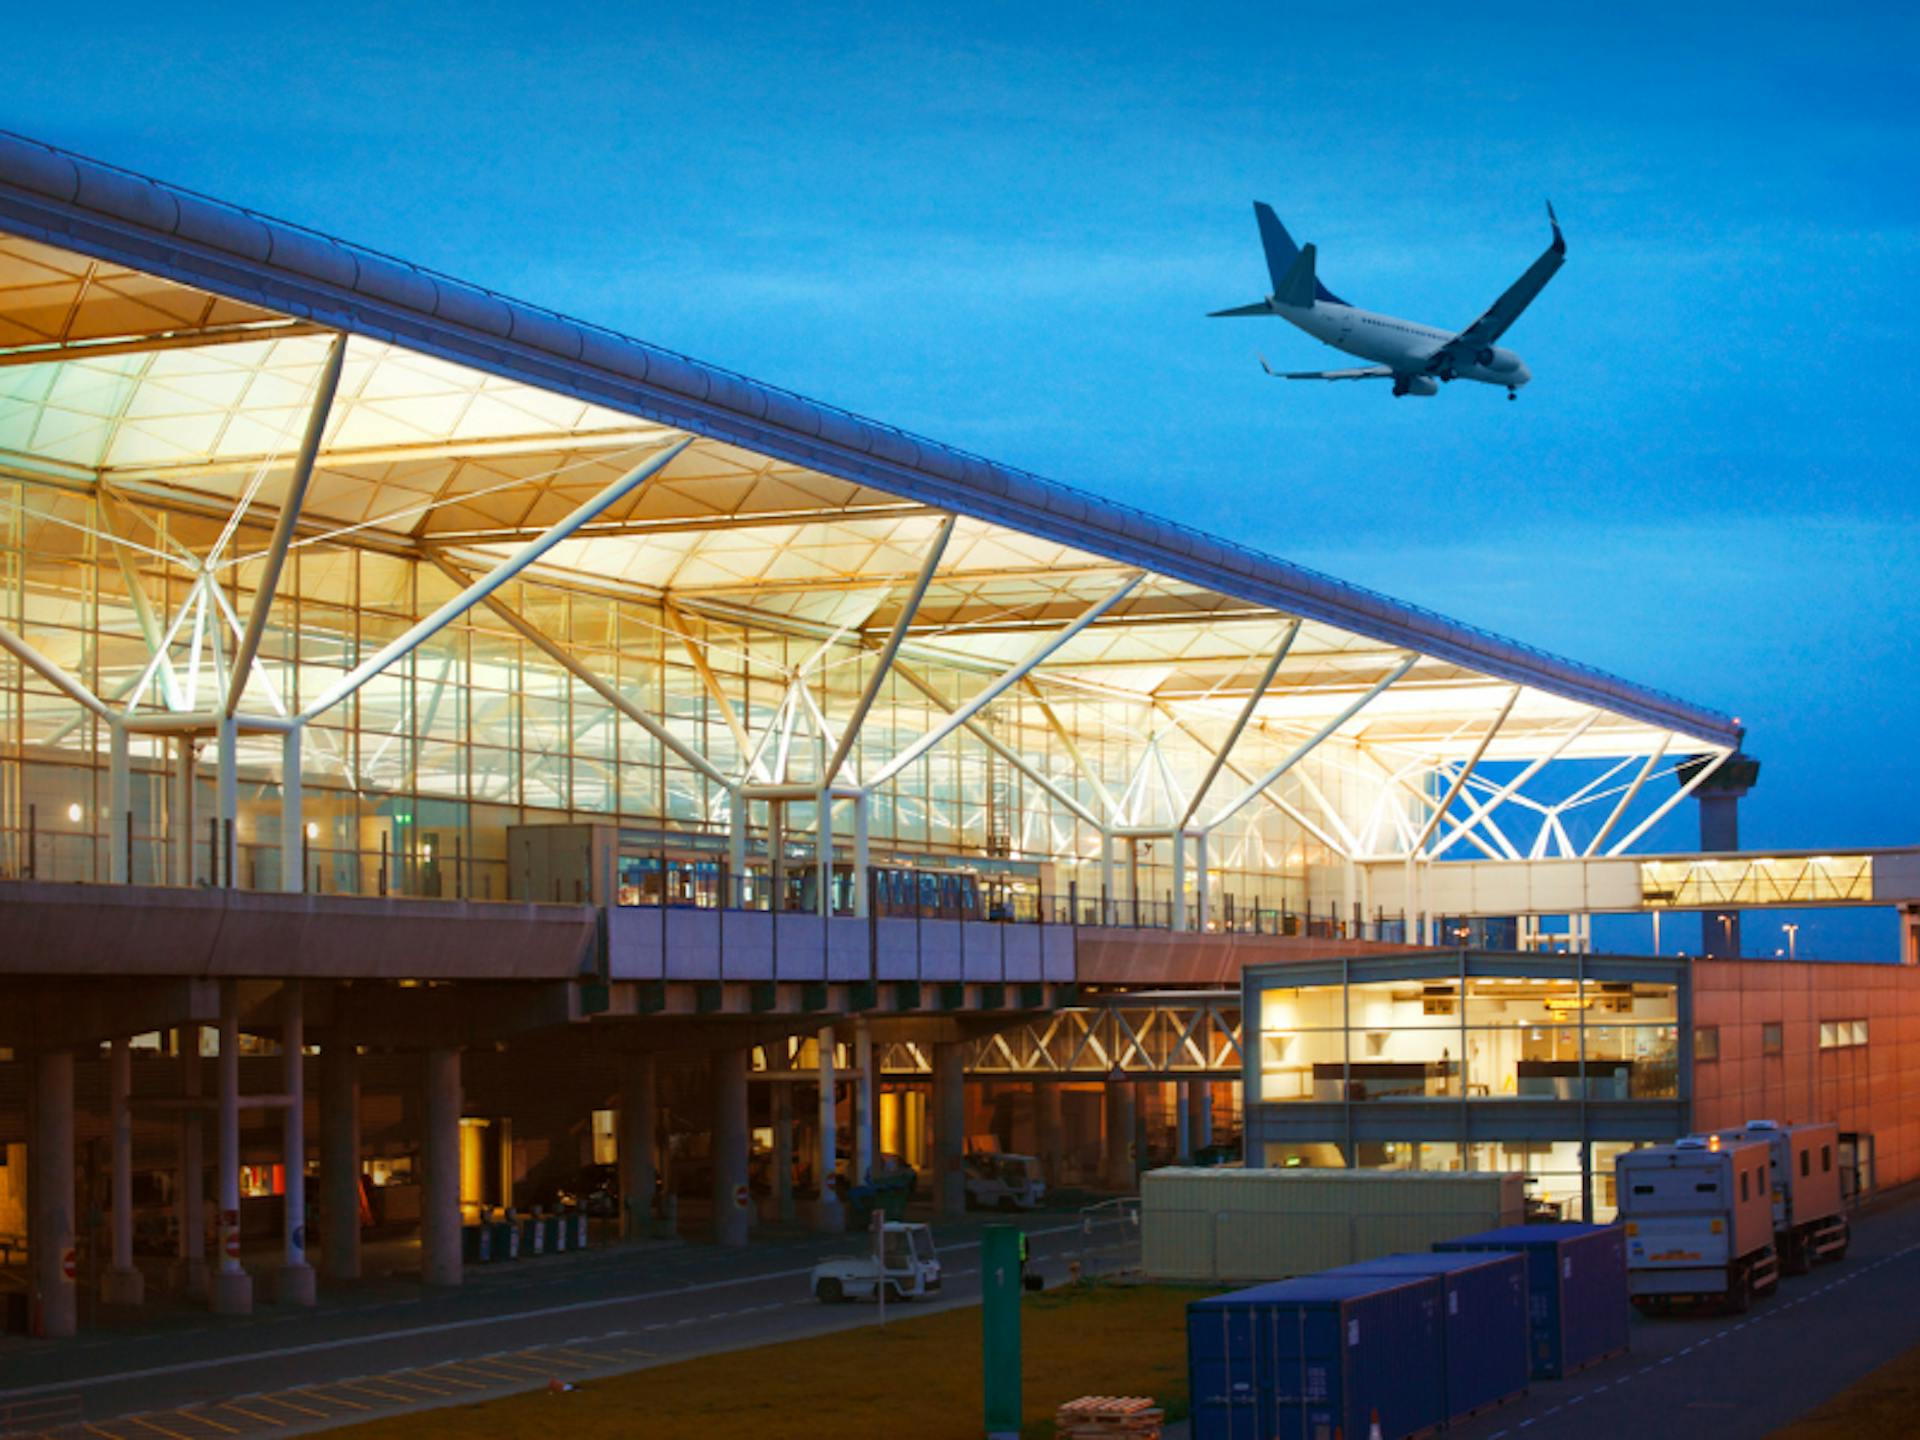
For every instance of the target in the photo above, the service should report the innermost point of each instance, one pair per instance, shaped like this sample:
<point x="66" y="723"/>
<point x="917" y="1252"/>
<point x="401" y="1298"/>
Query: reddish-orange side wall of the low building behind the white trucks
<point x="1869" y="1088"/>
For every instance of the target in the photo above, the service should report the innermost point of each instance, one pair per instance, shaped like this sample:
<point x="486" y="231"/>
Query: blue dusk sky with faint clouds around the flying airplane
<point x="1003" y="226"/>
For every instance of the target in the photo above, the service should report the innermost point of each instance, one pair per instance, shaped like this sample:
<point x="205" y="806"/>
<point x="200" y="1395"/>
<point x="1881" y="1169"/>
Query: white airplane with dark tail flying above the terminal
<point x="1416" y="358"/>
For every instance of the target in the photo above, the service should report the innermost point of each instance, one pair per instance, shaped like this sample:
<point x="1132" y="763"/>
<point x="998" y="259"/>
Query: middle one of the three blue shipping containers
<point x="1483" y="1324"/>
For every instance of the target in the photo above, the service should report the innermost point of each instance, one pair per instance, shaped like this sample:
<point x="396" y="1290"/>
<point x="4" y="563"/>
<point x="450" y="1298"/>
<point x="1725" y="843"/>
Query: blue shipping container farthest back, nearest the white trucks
<point x="1577" y="1289"/>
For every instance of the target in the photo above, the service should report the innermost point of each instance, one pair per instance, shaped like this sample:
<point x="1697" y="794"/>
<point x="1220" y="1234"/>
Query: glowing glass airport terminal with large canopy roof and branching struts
<point x="446" y="744"/>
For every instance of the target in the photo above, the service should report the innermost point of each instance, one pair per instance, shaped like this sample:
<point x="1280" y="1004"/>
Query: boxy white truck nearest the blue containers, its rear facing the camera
<point x="1700" y="1222"/>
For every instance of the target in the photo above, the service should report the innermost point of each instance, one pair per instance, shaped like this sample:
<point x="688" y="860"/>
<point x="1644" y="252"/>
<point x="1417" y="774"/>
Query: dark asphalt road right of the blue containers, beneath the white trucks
<point x="1740" y="1378"/>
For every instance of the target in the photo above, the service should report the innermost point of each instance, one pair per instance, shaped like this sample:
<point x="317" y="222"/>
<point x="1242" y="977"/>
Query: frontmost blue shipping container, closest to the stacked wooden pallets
<point x="1308" y="1358"/>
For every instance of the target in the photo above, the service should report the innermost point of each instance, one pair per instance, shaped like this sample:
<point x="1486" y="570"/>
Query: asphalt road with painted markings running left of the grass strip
<point x="623" y="1308"/>
